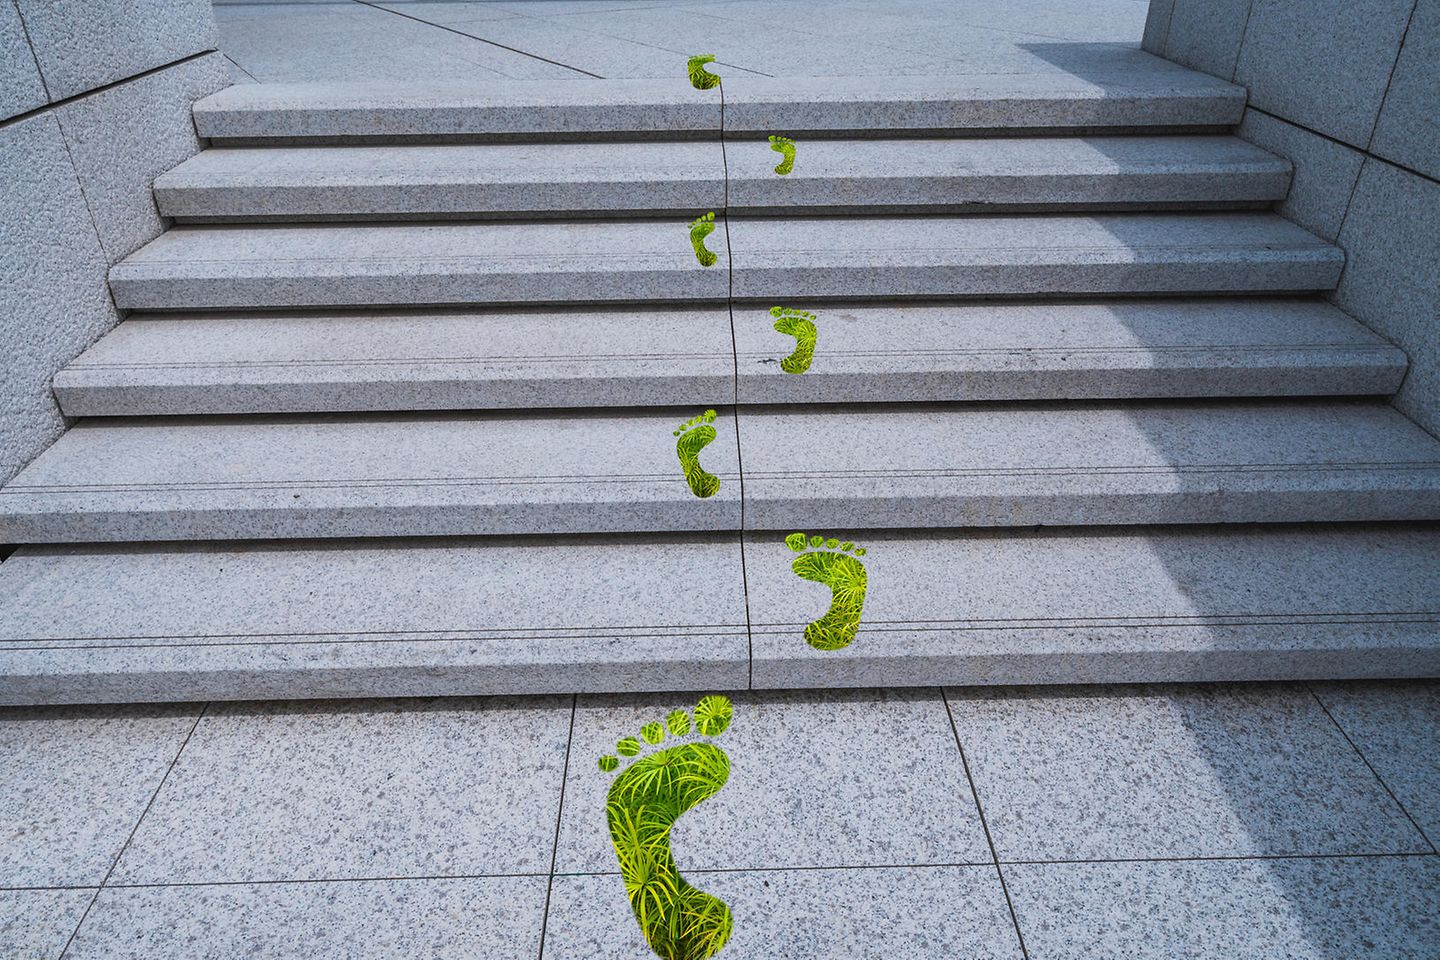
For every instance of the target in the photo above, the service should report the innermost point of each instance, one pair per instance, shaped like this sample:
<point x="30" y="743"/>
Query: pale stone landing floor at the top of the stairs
<point x="410" y="41"/>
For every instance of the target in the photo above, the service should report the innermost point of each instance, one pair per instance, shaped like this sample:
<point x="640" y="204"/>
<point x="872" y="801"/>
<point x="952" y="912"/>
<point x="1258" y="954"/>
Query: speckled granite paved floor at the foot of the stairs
<point x="1238" y="823"/>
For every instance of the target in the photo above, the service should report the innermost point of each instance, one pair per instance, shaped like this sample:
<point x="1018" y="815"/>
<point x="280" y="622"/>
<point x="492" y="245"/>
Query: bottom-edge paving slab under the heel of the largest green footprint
<point x="921" y="913"/>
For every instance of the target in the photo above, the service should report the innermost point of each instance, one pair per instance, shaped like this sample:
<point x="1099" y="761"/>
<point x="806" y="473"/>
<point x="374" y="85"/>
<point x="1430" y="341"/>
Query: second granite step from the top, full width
<point x="676" y="178"/>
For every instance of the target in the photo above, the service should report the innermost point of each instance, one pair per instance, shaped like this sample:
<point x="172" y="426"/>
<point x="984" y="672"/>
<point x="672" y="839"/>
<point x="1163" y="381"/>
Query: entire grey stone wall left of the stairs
<point x="94" y="104"/>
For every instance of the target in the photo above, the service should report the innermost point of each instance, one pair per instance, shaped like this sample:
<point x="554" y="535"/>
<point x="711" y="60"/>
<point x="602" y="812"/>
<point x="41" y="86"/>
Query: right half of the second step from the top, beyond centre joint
<point x="1115" y="173"/>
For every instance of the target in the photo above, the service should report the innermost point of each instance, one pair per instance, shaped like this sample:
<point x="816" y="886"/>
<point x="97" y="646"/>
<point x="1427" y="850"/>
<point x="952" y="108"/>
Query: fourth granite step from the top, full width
<point x="657" y="356"/>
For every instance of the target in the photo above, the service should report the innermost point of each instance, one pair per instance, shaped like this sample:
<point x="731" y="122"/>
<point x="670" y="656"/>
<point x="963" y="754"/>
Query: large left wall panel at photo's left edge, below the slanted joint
<point x="54" y="302"/>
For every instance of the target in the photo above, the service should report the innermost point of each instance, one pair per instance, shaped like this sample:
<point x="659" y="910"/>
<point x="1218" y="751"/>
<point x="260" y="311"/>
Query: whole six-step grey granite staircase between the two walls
<point x="395" y="409"/>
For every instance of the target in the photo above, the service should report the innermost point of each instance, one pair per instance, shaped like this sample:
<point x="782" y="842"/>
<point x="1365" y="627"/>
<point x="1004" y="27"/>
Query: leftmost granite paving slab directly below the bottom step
<point x="76" y="782"/>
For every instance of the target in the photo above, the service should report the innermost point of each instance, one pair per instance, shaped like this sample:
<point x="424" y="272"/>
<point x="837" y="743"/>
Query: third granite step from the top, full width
<point x="774" y="260"/>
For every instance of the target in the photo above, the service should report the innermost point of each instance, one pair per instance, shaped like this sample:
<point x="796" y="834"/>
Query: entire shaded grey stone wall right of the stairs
<point x="1350" y="91"/>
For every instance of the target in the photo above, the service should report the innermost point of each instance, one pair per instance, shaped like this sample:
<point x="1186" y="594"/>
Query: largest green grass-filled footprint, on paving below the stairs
<point x="679" y="922"/>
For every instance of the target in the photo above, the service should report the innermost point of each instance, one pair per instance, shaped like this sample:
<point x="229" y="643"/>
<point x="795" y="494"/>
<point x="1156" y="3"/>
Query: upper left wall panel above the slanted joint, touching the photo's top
<point x="87" y="44"/>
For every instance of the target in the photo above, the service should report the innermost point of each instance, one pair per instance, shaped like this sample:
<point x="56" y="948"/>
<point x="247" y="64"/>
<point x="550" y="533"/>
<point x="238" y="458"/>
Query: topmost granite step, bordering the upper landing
<point x="1102" y="90"/>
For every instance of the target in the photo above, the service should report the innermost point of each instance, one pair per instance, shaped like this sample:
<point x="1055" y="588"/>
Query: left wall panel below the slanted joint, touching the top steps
<point x="123" y="137"/>
